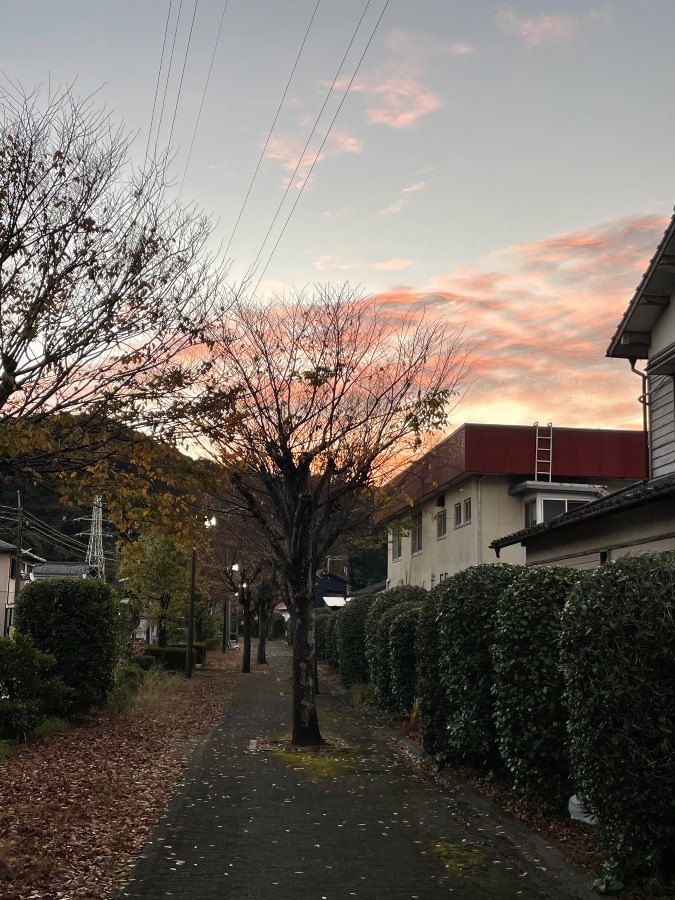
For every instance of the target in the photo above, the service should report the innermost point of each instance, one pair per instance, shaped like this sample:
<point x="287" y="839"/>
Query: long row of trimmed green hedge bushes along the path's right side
<point x="565" y="678"/>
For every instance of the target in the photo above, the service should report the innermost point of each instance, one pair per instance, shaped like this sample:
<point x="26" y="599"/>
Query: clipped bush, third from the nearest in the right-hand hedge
<point x="467" y="623"/>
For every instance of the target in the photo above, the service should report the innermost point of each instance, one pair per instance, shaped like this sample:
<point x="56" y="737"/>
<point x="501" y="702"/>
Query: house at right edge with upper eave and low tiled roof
<point x="641" y="518"/>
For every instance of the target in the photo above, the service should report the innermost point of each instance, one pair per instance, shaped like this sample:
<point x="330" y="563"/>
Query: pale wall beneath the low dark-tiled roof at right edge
<point x="647" y="529"/>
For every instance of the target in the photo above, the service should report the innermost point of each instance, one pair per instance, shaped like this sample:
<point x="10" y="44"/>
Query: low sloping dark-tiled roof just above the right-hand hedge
<point x="627" y="498"/>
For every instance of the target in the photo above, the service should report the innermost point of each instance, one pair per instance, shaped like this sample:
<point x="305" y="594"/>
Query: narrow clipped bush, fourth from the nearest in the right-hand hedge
<point x="432" y="713"/>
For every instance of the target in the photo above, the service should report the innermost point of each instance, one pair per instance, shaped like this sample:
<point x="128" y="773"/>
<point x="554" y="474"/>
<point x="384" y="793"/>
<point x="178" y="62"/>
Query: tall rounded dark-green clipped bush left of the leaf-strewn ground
<point x="77" y="621"/>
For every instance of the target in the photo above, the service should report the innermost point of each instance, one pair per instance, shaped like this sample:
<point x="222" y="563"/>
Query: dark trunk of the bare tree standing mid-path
<point x="305" y="720"/>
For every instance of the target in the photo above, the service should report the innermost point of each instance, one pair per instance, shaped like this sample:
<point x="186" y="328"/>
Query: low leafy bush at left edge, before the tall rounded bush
<point x="29" y="690"/>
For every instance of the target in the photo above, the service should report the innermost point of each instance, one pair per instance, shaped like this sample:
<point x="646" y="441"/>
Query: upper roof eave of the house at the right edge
<point x="632" y="338"/>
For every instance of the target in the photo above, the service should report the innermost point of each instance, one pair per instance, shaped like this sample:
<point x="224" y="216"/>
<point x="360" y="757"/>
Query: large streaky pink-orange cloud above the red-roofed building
<point x="540" y="317"/>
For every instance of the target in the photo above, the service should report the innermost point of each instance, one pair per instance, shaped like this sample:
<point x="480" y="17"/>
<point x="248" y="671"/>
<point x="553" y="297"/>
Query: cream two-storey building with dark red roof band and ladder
<point x="488" y="480"/>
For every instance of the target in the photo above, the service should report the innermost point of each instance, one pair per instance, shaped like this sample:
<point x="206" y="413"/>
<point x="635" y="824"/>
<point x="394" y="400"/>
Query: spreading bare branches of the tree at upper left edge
<point x="105" y="286"/>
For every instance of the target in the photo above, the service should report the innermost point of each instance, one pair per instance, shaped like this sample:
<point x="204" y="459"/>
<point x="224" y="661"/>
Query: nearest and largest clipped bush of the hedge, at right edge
<point x="618" y="656"/>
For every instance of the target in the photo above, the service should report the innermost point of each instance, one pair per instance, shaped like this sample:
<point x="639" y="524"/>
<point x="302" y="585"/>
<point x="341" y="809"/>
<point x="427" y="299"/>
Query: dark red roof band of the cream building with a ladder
<point x="588" y="454"/>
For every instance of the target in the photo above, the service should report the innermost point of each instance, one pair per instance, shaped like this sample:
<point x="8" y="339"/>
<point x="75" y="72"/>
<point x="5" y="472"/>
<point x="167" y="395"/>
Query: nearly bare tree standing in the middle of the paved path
<point x="324" y="395"/>
